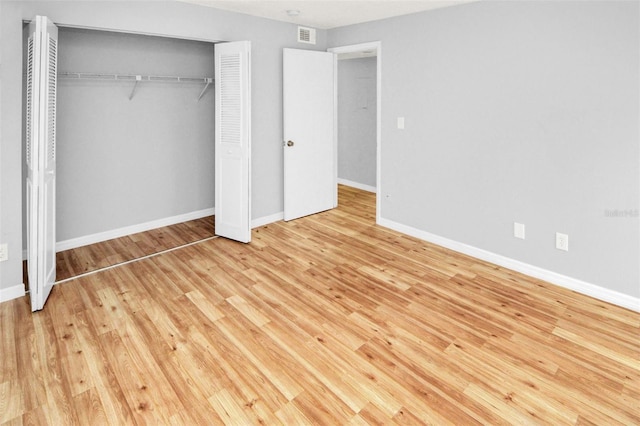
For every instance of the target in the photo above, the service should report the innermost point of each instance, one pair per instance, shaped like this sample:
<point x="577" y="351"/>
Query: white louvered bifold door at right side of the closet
<point x="233" y="140"/>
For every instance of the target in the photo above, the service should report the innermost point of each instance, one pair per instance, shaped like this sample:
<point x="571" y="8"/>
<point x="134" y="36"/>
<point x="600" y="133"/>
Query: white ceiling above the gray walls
<point x="327" y="14"/>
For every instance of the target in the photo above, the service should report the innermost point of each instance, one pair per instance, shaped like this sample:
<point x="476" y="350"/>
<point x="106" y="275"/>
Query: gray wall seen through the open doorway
<point x="357" y="120"/>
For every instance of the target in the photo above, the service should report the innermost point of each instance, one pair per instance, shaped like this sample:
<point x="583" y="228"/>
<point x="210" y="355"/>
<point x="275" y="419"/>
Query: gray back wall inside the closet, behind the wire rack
<point x="125" y="162"/>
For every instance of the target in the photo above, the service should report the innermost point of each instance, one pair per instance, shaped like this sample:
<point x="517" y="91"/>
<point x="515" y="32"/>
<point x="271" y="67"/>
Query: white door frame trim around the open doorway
<point x="377" y="47"/>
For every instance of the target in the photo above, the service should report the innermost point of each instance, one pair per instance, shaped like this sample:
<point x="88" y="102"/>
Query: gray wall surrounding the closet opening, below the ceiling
<point x="172" y="19"/>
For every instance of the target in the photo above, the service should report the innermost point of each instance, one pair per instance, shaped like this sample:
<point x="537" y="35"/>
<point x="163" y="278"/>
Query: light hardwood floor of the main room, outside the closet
<point x="329" y="319"/>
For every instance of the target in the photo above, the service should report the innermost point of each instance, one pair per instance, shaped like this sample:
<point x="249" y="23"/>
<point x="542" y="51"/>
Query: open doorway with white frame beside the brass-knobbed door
<point x="358" y="95"/>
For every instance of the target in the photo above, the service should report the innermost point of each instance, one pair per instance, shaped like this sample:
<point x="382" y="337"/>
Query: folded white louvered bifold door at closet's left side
<point x="41" y="159"/>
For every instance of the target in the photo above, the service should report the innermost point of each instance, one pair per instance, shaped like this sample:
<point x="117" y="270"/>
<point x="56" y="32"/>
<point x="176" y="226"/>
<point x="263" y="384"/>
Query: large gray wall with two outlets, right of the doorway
<point x="516" y="111"/>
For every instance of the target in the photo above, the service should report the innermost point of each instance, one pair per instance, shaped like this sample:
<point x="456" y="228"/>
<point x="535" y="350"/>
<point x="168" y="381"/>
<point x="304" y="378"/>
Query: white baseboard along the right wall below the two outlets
<point x="598" y="292"/>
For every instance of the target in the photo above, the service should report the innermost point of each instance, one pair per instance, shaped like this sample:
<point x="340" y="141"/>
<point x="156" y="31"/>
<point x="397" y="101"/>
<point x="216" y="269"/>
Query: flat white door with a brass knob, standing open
<point x="310" y="174"/>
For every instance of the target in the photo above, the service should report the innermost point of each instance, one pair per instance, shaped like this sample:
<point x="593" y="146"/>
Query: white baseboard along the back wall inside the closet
<point x="133" y="229"/>
